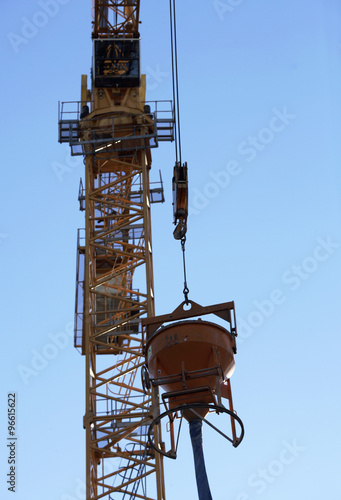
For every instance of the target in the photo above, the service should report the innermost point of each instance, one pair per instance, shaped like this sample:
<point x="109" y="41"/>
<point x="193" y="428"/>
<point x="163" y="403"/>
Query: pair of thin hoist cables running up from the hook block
<point x="175" y="80"/>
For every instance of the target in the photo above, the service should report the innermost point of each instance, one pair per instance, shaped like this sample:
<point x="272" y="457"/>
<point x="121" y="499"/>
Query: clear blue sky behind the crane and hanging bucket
<point x="260" y="119"/>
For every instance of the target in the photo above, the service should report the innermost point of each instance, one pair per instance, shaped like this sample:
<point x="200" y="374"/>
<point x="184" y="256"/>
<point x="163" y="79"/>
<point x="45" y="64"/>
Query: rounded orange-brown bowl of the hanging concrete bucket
<point x="191" y="358"/>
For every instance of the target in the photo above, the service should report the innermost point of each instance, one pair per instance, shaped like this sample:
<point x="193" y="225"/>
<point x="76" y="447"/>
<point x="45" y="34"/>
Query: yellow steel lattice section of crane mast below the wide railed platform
<point x="117" y="241"/>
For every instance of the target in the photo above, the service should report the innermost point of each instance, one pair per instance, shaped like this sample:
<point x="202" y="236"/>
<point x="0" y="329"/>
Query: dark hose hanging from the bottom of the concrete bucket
<point x="195" y="429"/>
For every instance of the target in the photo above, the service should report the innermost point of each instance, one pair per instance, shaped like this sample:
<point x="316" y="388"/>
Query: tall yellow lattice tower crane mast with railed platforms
<point x="114" y="129"/>
